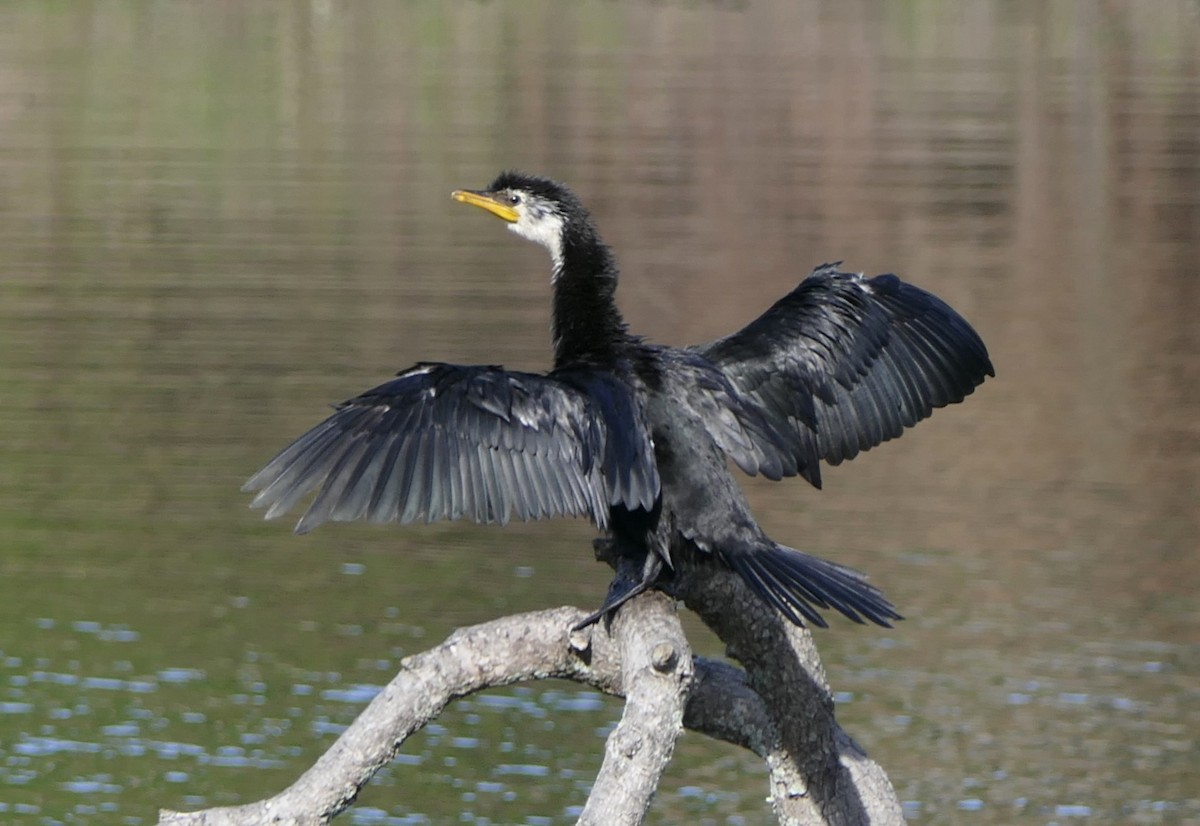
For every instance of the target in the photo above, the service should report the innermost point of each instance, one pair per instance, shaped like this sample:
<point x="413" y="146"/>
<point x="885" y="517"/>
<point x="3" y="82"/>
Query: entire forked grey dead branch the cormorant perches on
<point x="781" y="709"/>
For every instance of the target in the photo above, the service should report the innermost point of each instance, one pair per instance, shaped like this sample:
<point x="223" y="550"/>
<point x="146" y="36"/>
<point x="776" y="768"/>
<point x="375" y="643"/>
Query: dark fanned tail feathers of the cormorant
<point x="797" y="584"/>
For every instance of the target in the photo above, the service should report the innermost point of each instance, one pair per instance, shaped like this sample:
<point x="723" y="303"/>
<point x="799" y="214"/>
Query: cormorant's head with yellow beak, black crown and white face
<point x="536" y="208"/>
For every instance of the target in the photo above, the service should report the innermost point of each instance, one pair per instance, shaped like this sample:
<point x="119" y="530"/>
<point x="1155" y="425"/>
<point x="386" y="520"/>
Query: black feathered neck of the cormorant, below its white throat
<point x="589" y="327"/>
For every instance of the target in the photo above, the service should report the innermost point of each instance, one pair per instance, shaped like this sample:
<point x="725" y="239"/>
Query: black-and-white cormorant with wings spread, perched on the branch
<point x="637" y="436"/>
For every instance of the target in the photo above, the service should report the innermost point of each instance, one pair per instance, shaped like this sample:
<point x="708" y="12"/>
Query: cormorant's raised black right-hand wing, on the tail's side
<point x="844" y="363"/>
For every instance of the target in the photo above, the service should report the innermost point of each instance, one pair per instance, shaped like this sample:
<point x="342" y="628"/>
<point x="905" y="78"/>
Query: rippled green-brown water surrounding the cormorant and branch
<point x="218" y="219"/>
